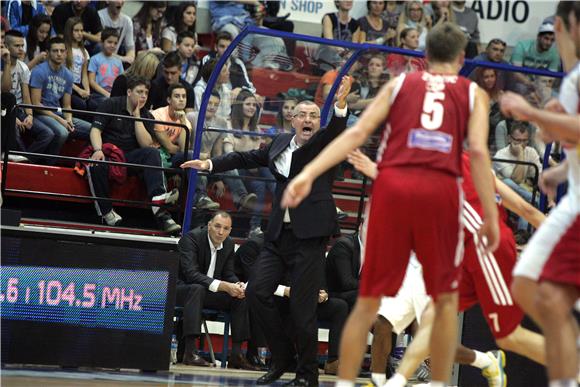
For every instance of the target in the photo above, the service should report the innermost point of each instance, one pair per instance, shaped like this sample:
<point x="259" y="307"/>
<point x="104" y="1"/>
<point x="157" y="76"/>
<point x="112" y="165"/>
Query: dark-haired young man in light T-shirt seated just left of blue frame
<point x="172" y="139"/>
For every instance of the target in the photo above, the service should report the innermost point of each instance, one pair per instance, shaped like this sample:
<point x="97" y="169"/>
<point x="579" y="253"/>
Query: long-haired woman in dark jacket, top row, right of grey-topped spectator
<point x="147" y="26"/>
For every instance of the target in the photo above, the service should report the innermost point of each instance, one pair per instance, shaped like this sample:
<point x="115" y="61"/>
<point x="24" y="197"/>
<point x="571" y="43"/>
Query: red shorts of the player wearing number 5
<point x="417" y="210"/>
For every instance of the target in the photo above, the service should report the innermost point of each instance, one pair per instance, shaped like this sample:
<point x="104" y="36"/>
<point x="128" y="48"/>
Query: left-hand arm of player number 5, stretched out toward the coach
<point x="338" y="149"/>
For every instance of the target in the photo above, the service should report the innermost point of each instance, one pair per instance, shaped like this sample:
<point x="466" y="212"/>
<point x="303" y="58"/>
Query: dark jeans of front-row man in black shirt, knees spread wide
<point x="99" y="176"/>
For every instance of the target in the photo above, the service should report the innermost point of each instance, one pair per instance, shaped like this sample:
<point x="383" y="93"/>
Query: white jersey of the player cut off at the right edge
<point x="569" y="98"/>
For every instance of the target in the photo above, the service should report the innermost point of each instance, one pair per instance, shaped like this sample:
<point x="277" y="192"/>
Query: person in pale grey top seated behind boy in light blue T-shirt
<point x="113" y="17"/>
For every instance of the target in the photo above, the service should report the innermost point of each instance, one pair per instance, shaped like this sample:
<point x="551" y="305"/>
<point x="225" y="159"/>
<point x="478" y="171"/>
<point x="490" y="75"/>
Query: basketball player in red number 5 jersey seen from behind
<point x="416" y="199"/>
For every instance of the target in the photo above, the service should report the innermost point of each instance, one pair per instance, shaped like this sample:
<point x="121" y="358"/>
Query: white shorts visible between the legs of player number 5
<point x="410" y="301"/>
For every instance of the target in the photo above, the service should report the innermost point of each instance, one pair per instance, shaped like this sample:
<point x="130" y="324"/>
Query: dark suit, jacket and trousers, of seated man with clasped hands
<point x="193" y="284"/>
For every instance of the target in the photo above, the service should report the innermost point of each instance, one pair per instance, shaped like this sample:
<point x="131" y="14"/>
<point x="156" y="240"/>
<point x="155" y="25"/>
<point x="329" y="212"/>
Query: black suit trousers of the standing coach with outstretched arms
<point x="304" y="259"/>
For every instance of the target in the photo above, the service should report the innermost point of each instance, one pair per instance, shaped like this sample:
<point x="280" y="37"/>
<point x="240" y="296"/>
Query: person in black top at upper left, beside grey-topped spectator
<point x="89" y="16"/>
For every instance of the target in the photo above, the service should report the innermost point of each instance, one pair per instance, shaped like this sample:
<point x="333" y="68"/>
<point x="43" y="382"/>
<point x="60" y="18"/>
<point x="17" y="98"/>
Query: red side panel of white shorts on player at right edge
<point x="563" y="266"/>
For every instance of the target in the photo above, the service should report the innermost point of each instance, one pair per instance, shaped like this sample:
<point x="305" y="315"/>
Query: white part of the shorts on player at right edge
<point x="544" y="240"/>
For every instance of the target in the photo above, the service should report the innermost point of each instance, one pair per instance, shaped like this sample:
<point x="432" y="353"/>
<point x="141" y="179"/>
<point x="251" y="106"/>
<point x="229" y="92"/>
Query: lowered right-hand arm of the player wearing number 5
<point x="478" y="127"/>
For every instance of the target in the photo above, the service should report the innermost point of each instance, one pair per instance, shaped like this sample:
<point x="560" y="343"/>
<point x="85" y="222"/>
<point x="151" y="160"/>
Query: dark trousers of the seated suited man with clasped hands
<point x="194" y="298"/>
